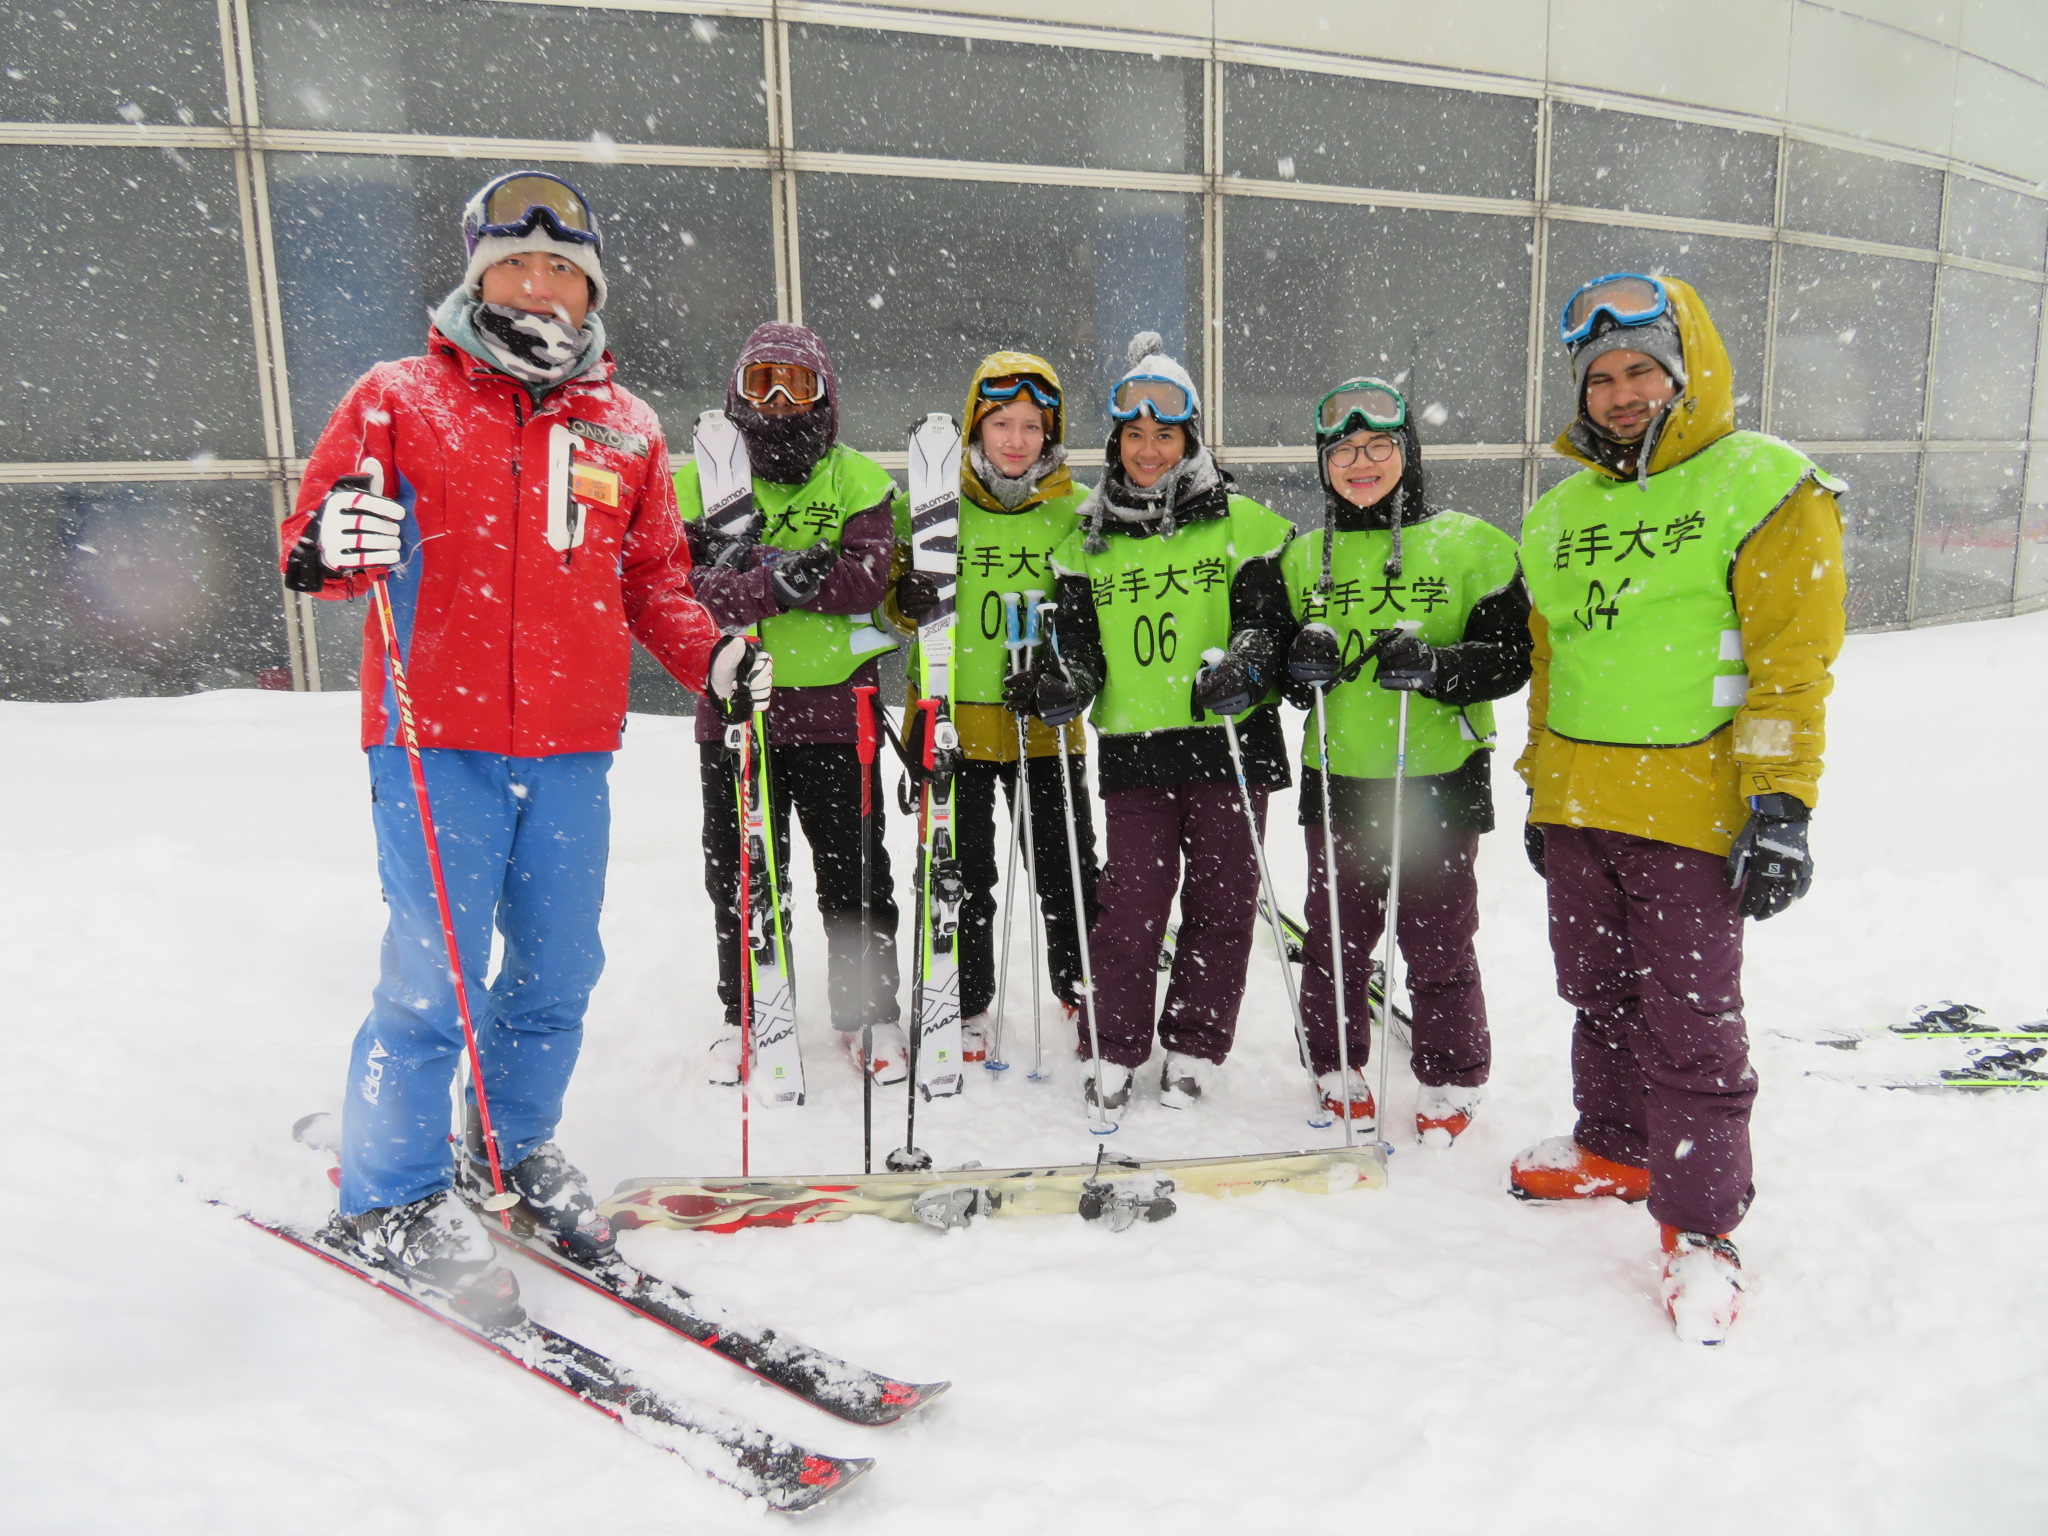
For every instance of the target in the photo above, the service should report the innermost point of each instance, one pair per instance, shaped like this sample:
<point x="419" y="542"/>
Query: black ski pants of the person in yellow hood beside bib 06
<point x="986" y="855"/>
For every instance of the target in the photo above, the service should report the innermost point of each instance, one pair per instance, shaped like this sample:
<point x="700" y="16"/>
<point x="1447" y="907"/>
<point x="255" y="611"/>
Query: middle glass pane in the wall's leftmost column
<point x="126" y="298"/>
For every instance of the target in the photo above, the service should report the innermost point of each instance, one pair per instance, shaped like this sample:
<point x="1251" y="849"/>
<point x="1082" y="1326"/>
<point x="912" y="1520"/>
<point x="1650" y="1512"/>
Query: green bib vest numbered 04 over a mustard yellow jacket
<point x="1635" y="583"/>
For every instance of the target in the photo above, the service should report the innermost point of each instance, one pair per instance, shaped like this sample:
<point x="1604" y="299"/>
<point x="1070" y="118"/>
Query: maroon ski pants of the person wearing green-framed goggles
<point x="1437" y="925"/>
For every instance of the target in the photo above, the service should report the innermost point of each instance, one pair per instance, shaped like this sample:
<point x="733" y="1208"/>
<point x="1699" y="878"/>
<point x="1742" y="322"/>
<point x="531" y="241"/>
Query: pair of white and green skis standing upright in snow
<point x="773" y="1060"/>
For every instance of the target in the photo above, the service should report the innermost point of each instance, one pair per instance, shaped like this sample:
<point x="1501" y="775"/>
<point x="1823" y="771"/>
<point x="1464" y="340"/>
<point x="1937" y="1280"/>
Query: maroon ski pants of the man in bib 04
<point x="1650" y="949"/>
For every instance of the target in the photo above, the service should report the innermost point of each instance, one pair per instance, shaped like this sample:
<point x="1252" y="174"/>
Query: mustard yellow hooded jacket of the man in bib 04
<point x="1791" y="595"/>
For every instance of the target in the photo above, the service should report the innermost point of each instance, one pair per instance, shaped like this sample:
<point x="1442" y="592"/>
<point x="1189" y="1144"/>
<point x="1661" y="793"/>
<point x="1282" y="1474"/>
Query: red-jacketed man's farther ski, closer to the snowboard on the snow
<point x="802" y="1371"/>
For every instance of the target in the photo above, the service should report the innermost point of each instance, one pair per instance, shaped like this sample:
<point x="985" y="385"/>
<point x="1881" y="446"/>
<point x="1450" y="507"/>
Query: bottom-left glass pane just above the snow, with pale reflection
<point x="138" y="591"/>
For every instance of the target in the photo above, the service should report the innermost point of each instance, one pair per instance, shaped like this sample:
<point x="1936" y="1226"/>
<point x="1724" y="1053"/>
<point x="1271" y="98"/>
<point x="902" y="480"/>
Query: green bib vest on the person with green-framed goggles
<point x="1447" y="566"/>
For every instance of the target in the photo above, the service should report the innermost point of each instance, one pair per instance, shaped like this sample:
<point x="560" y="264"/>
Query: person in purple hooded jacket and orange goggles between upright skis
<point x="808" y="587"/>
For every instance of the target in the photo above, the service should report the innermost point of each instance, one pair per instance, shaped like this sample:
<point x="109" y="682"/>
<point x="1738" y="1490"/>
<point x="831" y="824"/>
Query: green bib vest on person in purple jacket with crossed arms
<point x="812" y="650"/>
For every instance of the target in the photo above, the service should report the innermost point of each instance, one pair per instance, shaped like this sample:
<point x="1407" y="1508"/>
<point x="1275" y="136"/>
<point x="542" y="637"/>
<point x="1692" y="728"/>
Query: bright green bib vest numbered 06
<point x="1160" y="603"/>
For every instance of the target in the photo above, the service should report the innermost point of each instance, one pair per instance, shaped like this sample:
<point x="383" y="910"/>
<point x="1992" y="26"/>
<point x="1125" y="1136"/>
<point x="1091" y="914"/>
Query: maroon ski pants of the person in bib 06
<point x="1152" y="833"/>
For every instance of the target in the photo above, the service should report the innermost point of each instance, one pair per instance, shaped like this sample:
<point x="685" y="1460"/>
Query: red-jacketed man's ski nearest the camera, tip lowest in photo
<point x="724" y="1449"/>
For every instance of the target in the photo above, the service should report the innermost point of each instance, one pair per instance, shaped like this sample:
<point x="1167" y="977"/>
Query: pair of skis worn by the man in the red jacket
<point x="753" y="1461"/>
